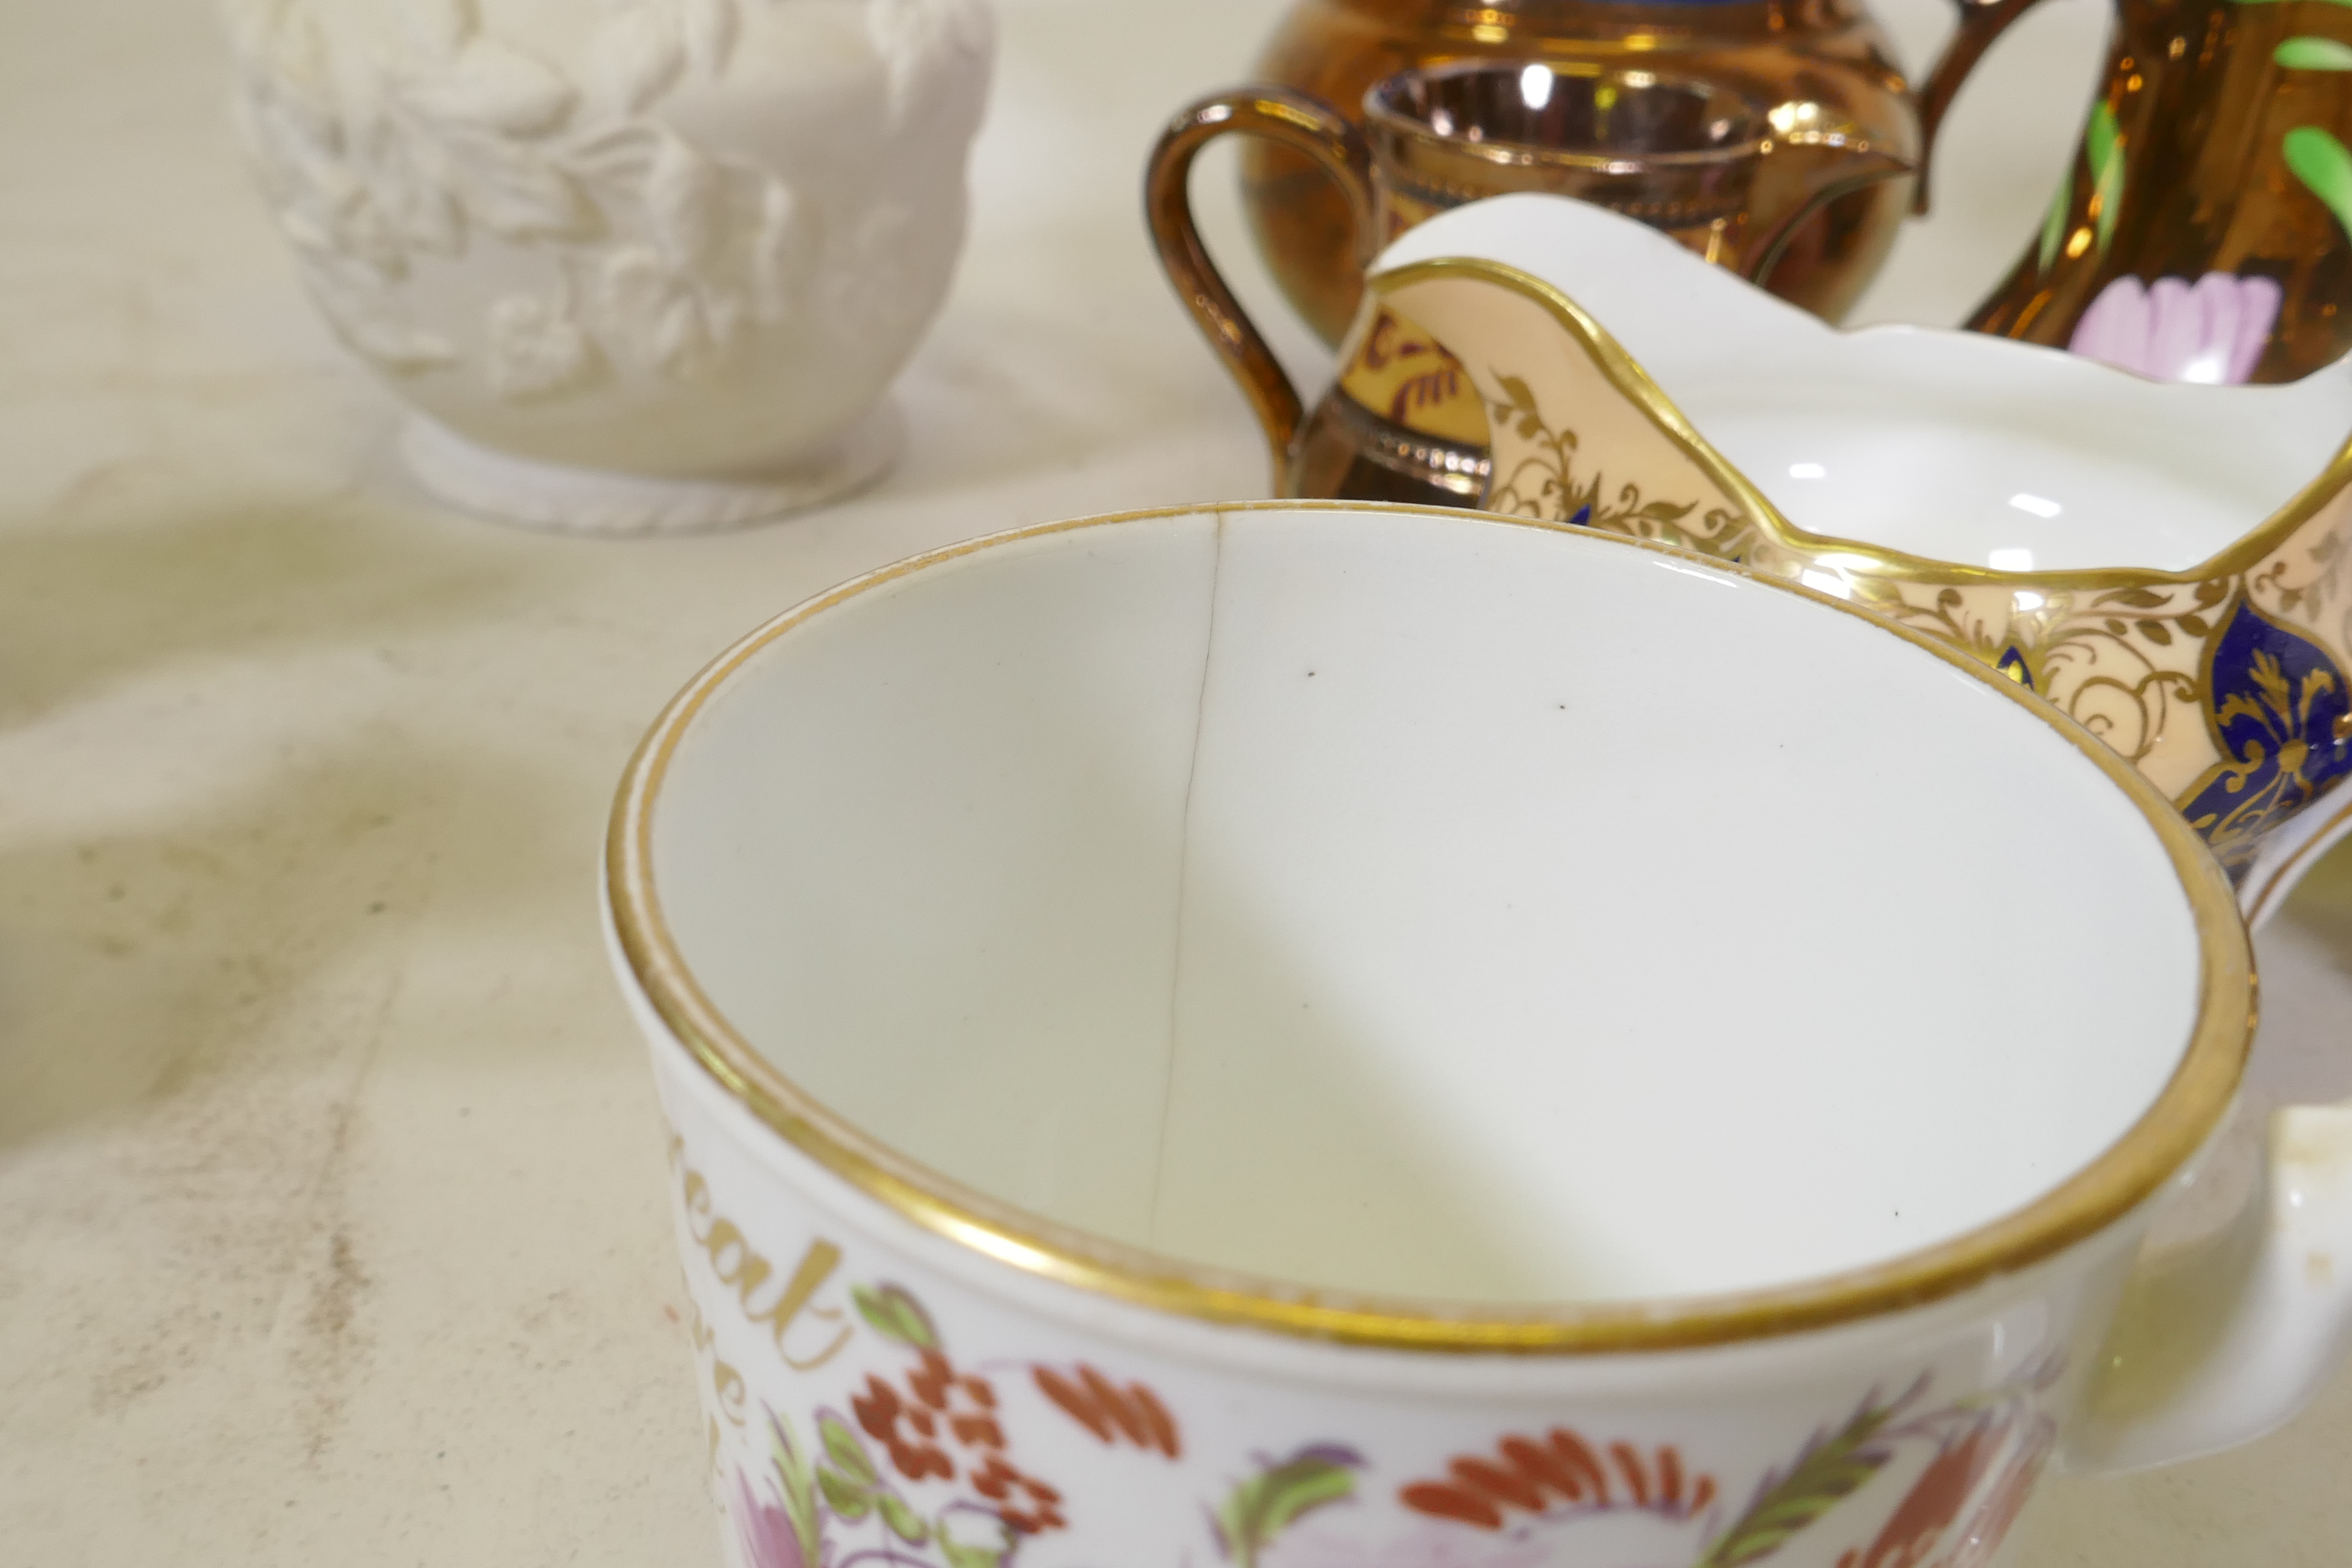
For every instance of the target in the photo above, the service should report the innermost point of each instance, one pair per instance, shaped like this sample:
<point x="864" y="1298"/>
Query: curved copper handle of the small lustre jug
<point x="1302" y="126"/>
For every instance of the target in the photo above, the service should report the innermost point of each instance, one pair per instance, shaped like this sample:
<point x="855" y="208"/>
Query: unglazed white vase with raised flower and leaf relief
<point x="636" y="267"/>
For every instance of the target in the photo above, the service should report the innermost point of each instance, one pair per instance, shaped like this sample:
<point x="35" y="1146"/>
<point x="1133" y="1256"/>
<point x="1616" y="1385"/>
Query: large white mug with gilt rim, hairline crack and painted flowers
<point x="1370" y="1038"/>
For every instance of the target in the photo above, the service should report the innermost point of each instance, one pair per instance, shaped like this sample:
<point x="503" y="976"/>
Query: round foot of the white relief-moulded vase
<point x="596" y="502"/>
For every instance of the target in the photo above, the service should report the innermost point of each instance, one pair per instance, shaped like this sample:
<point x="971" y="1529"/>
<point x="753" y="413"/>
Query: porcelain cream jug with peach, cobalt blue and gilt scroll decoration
<point x="2172" y="565"/>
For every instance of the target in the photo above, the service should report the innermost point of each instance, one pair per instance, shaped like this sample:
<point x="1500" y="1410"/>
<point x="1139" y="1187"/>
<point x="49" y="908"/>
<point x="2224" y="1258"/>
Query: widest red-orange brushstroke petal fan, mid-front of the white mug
<point x="1563" y="1468"/>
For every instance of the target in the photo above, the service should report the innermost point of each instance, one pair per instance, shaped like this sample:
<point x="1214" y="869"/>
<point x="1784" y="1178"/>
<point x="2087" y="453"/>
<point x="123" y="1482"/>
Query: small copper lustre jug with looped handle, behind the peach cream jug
<point x="1685" y="156"/>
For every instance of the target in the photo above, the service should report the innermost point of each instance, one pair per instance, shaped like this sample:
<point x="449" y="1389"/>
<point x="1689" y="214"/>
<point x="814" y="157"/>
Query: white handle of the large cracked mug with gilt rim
<point x="2229" y="1339"/>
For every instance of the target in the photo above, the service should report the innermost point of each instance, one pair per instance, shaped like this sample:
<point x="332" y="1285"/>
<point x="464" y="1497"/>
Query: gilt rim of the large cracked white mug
<point x="2120" y="1179"/>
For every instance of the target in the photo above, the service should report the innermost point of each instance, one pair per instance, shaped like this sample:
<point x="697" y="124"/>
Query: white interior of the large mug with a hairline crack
<point x="1426" y="906"/>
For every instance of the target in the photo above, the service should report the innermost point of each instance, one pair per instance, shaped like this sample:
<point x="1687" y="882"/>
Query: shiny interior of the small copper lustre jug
<point x="1539" y="107"/>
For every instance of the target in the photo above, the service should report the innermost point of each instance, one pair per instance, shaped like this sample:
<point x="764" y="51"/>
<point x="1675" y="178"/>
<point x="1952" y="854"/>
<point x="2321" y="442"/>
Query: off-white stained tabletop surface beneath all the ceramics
<point x="330" y="1177"/>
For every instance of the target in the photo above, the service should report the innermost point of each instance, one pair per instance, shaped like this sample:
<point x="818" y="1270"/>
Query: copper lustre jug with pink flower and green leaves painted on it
<point x="2200" y="229"/>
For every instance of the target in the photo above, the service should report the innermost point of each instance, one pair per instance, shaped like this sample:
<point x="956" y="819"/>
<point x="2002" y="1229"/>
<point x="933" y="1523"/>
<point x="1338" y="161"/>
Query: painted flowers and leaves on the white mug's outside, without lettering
<point x="921" y="1473"/>
